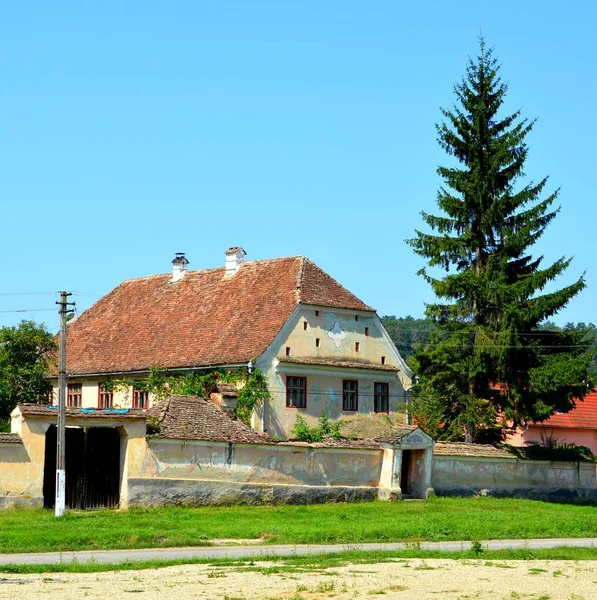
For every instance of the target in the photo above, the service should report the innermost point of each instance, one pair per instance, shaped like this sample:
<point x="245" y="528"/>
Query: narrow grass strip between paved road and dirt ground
<point x="316" y="563"/>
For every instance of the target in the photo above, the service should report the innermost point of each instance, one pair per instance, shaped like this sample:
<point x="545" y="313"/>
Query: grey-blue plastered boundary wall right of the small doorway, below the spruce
<point x="514" y="478"/>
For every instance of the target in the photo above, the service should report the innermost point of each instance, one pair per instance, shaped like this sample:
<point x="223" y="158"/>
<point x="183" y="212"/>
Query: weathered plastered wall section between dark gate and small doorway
<point x="177" y="472"/>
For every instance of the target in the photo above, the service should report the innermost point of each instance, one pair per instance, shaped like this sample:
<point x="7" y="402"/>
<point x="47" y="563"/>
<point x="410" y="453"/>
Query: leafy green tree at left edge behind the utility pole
<point x="25" y="355"/>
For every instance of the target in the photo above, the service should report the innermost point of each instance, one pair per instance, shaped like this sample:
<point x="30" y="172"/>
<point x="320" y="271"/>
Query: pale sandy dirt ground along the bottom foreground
<point x="417" y="579"/>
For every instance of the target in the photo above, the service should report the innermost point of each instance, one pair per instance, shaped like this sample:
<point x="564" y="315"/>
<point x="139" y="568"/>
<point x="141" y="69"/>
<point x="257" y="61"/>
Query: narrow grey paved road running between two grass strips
<point x="116" y="556"/>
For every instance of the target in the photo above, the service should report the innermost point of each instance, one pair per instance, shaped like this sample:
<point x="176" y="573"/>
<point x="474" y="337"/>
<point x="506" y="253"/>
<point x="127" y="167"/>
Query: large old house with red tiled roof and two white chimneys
<point x="320" y="347"/>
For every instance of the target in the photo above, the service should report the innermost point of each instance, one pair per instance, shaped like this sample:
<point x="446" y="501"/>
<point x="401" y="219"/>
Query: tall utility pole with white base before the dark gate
<point x="59" y="505"/>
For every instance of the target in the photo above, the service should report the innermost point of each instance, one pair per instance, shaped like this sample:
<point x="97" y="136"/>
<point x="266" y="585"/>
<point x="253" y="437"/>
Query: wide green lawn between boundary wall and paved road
<point x="435" y="519"/>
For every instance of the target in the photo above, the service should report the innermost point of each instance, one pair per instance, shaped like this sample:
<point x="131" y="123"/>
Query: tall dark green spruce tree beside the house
<point x="487" y="357"/>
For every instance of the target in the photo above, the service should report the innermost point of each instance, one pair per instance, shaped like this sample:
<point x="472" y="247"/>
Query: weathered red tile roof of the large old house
<point x="205" y="319"/>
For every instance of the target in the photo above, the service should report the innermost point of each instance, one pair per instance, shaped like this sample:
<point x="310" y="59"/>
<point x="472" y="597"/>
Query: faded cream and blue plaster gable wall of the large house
<point x="338" y="333"/>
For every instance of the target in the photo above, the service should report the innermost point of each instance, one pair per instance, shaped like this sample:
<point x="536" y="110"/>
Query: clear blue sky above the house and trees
<point x="133" y="130"/>
